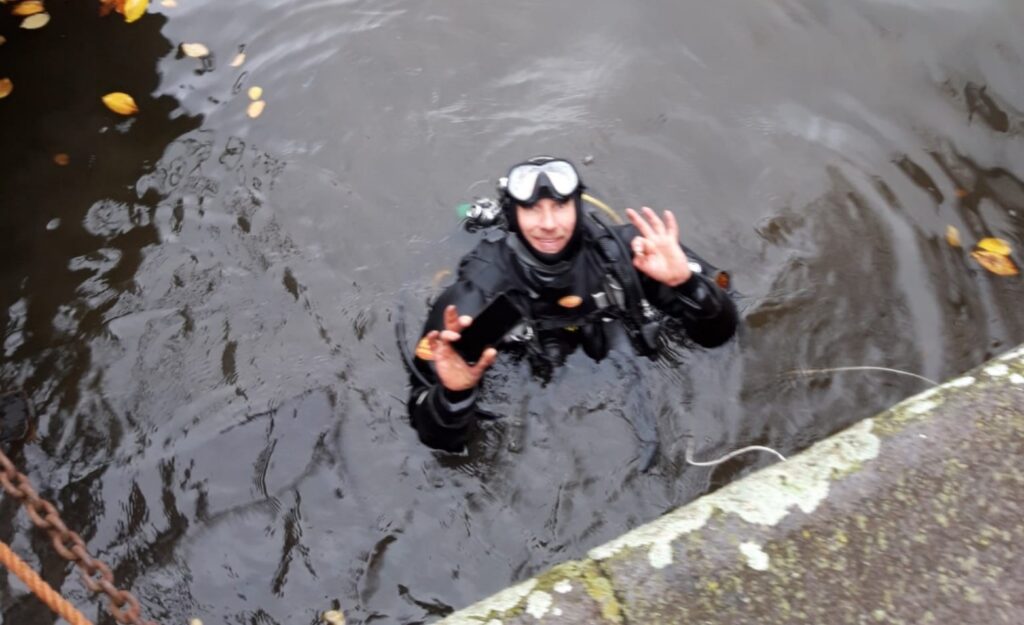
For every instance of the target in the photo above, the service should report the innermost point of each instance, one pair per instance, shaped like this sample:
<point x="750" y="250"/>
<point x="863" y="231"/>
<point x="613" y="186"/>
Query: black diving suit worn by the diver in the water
<point x="602" y="267"/>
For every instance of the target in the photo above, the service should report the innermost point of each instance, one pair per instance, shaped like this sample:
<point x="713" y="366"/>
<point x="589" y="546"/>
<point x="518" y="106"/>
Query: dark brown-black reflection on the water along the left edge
<point x="73" y="242"/>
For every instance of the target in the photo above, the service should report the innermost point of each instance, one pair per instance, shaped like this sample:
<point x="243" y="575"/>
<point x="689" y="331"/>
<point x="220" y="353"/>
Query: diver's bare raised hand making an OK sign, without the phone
<point x="657" y="253"/>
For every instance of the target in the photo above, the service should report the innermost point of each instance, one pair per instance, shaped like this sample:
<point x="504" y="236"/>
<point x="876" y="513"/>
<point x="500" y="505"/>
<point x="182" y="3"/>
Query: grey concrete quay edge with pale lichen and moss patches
<point x="916" y="516"/>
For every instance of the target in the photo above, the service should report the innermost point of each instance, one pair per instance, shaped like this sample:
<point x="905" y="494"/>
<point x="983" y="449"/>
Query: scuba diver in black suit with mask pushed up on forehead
<point x="562" y="277"/>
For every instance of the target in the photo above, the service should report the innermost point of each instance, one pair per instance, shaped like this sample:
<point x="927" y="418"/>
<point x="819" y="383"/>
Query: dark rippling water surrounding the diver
<point x="207" y="331"/>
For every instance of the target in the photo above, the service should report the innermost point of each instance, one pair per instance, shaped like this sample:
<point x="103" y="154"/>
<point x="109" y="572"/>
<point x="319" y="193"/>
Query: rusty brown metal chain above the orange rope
<point x="97" y="576"/>
